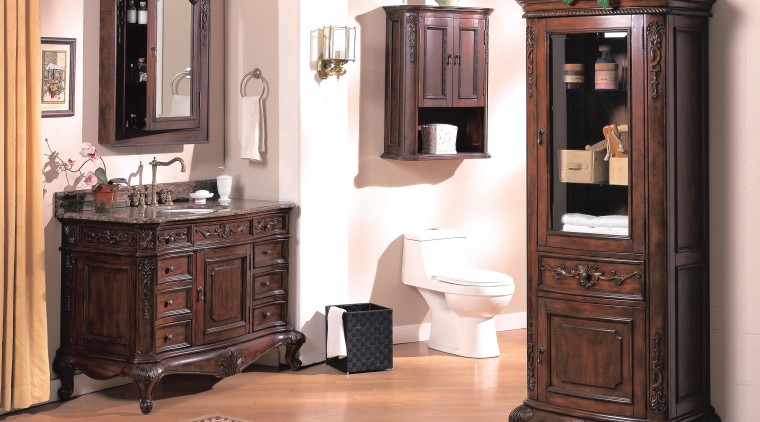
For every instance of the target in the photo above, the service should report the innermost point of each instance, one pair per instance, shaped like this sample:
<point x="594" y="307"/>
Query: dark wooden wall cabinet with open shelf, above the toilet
<point x="436" y="71"/>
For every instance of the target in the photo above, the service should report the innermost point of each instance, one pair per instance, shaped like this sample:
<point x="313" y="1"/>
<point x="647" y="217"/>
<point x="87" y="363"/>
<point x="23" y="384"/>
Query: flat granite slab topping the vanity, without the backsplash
<point x="165" y="214"/>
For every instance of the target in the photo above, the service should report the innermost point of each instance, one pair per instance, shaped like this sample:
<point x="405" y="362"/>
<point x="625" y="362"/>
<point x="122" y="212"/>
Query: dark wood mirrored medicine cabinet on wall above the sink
<point x="154" y="80"/>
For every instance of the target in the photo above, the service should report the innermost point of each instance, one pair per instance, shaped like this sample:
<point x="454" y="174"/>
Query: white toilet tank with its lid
<point x="432" y="251"/>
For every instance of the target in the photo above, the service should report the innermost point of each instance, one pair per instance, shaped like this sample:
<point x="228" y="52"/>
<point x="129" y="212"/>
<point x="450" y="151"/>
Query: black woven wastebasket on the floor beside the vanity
<point x="369" y="338"/>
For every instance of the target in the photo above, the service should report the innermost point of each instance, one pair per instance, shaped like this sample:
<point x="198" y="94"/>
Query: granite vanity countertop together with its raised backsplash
<point x="78" y="205"/>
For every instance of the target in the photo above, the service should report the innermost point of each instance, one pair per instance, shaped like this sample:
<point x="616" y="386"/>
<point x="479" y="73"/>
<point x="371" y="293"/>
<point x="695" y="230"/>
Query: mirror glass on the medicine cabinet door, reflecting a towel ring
<point x="174" y="55"/>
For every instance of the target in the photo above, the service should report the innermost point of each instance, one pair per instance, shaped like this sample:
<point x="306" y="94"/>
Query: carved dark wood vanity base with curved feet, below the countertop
<point x="203" y="296"/>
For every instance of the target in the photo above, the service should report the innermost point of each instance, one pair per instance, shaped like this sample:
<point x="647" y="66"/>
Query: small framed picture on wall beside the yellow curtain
<point x="58" y="74"/>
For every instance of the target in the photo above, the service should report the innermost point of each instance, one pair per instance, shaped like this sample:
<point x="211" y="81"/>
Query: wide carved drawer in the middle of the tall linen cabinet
<point x="613" y="279"/>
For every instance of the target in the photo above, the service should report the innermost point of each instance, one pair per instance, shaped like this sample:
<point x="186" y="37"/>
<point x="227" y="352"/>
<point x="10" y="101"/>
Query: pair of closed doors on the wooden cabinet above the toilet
<point x="453" y="62"/>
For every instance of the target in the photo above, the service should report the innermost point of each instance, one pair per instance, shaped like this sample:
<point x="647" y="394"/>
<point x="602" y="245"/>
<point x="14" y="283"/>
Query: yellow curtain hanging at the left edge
<point x="24" y="366"/>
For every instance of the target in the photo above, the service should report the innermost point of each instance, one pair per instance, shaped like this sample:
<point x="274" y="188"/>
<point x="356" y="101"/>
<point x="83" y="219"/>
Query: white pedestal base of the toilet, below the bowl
<point x="464" y="336"/>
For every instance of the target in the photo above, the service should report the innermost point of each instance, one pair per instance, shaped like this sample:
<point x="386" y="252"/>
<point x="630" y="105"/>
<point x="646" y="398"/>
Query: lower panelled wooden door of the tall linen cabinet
<point x="590" y="358"/>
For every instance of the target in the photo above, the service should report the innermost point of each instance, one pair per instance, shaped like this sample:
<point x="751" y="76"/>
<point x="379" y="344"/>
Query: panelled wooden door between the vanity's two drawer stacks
<point x="222" y="293"/>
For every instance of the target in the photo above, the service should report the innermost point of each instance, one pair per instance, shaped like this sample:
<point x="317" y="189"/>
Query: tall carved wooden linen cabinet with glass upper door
<point x="618" y="277"/>
